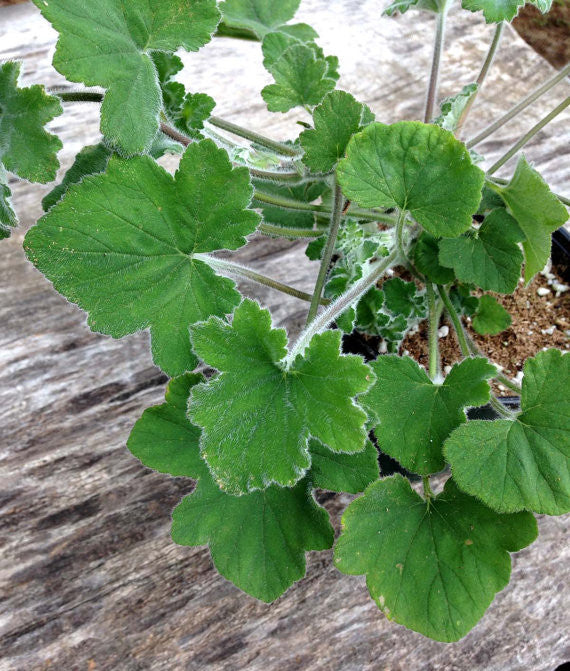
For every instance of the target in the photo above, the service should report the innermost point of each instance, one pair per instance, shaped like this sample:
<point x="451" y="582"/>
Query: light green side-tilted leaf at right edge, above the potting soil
<point x="537" y="211"/>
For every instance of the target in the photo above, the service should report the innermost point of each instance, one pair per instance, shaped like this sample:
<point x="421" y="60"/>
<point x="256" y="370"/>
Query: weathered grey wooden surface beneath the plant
<point x="89" y="577"/>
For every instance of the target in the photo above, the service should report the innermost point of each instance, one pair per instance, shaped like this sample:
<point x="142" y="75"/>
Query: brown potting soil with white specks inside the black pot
<point x="532" y="314"/>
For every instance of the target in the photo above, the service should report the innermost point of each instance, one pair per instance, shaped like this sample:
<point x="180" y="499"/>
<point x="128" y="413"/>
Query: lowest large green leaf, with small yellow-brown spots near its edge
<point x="433" y="567"/>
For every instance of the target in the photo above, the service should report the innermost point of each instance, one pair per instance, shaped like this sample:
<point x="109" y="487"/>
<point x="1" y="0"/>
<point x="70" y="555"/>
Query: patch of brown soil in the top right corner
<point x="548" y="34"/>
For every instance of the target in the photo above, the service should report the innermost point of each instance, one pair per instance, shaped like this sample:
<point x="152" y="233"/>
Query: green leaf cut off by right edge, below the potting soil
<point x="521" y="464"/>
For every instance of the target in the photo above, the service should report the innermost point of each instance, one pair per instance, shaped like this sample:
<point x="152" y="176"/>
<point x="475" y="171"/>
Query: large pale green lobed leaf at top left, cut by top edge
<point x="112" y="47"/>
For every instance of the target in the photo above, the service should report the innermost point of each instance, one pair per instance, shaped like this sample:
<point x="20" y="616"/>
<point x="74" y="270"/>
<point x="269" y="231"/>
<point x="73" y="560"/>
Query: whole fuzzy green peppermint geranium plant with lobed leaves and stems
<point x="136" y="248"/>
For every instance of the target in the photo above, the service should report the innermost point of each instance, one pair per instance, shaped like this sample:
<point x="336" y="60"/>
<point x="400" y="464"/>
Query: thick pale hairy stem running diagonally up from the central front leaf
<point x="340" y="305"/>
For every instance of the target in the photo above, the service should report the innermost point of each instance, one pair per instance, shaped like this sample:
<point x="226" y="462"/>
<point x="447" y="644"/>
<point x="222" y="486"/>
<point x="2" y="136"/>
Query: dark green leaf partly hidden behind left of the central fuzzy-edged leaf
<point x="164" y="439"/>
